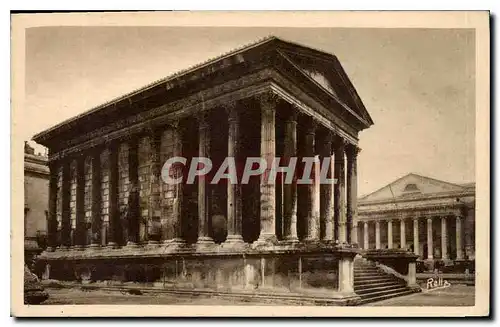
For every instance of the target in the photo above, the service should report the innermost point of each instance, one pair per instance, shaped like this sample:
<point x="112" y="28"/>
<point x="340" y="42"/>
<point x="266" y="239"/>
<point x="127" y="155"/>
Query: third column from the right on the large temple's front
<point x="326" y="189"/>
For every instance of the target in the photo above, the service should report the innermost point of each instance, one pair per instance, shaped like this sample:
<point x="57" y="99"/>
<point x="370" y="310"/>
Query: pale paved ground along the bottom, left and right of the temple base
<point x="456" y="295"/>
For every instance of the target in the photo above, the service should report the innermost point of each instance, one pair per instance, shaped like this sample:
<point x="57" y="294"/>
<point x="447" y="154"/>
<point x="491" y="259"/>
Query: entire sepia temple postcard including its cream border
<point x="216" y="163"/>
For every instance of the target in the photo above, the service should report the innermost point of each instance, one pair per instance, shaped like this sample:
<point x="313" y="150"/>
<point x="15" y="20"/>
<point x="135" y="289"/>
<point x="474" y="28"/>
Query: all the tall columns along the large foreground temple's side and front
<point x="335" y="220"/>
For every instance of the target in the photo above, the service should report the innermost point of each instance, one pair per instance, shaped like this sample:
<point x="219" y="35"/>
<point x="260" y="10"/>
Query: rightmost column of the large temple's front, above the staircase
<point x="352" y="192"/>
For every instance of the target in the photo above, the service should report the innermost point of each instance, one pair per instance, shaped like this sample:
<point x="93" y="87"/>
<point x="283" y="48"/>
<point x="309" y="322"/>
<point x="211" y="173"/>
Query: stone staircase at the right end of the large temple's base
<point x="372" y="284"/>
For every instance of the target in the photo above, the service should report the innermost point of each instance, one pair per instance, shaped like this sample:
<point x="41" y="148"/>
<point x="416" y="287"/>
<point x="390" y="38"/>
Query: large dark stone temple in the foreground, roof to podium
<point x="112" y="218"/>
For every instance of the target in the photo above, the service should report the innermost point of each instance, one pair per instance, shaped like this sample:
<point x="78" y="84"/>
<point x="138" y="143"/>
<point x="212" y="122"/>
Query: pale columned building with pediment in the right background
<point x="420" y="213"/>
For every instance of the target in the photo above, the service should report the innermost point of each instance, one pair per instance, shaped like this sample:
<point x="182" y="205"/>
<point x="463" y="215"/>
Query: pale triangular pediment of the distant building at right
<point x="412" y="185"/>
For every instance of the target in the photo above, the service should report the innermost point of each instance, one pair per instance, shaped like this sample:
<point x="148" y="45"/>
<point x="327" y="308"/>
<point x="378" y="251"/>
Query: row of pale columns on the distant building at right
<point x="416" y="245"/>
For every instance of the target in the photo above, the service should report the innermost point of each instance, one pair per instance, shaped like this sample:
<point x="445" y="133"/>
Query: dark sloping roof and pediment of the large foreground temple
<point x="297" y="54"/>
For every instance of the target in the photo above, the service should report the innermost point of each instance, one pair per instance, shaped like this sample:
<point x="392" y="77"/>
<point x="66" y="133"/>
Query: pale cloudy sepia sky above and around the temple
<point x="417" y="84"/>
